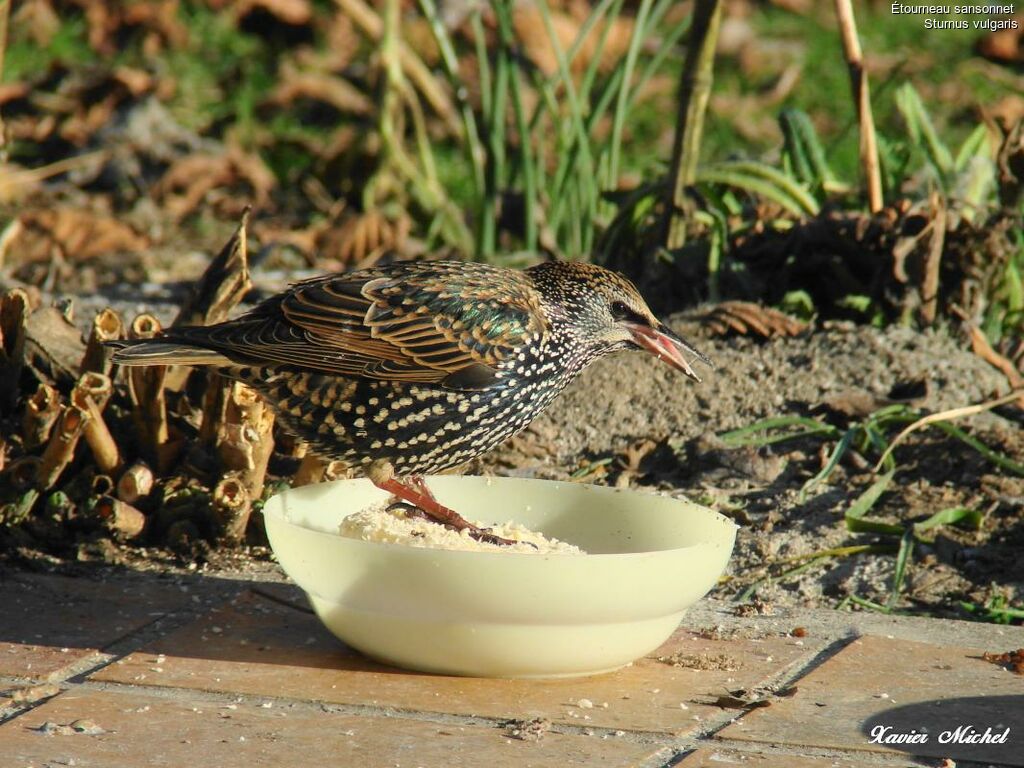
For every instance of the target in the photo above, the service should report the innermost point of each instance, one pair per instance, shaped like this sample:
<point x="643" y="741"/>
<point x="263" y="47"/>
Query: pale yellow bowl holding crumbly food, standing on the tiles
<point x="499" y="614"/>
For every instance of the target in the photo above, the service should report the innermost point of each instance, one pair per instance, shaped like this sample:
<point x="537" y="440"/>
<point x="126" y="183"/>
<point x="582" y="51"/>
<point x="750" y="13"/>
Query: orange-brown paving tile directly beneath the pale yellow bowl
<point x="258" y="647"/>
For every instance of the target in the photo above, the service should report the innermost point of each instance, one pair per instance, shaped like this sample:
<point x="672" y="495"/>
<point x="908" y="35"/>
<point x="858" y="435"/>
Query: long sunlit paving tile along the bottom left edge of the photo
<point x="143" y="730"/>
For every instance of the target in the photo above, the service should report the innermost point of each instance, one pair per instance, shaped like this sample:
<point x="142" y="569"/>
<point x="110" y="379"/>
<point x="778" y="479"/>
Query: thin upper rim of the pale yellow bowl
<point x="277" y="511"/>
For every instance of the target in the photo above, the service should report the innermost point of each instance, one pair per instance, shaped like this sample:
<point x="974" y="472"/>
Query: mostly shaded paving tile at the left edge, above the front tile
<point x="52" y="622"/>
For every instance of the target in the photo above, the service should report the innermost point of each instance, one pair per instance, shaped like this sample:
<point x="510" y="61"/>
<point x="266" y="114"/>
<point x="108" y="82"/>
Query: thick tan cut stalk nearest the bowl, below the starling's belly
<point x="245" y="439"/>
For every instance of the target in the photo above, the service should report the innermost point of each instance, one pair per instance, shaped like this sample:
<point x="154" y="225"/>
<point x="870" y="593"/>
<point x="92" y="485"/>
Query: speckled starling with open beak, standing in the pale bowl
<point x="415" y="368"/>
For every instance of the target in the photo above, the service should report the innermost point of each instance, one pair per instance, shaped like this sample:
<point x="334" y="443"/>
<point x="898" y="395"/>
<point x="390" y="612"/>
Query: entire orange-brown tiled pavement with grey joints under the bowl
<point x="140" y="670"/>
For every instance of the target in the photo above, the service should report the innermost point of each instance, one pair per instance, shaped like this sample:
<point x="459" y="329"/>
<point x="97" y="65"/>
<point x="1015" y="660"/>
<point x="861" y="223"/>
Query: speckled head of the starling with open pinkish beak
<point x="608" y="313"/>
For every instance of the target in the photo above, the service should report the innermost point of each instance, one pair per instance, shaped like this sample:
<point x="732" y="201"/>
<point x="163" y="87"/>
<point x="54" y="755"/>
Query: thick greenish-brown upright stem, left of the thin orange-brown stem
<point x="695" y="91"/>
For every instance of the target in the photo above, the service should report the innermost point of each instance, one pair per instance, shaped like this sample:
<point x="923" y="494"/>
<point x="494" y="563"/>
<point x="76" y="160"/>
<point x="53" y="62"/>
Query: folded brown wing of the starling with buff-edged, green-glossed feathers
<point x="434" y="324"/>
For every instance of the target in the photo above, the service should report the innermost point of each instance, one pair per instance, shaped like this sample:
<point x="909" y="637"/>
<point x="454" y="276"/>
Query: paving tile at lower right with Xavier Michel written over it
<point x="907" y="688"/>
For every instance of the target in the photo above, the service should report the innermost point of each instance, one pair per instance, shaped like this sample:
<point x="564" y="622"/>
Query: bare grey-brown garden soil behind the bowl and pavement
<point x="631" y="421"/>
